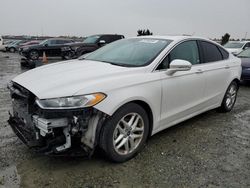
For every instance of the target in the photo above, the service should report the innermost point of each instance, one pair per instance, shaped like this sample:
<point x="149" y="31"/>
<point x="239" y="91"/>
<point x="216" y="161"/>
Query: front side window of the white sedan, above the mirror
<point x="186" y="51"/>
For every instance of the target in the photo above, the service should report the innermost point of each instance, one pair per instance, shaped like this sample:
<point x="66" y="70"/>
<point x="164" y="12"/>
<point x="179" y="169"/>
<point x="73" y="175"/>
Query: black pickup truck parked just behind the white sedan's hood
<point x="90" y="44"/>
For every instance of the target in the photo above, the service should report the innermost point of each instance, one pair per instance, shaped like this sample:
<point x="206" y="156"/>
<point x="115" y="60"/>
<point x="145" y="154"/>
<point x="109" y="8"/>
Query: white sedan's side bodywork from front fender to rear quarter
<point x="183" y="95"/>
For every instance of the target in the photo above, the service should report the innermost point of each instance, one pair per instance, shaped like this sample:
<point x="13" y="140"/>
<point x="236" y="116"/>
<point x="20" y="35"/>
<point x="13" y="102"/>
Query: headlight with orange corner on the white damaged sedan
<point x="71" y="102"/>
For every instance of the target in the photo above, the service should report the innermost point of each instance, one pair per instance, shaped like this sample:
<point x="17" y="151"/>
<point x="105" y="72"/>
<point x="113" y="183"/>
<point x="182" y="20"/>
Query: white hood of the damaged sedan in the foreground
<point x="69" y="77"/>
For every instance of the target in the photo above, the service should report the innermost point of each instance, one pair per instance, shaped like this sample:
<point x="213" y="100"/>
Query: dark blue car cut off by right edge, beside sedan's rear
<point x="245" y="63"/>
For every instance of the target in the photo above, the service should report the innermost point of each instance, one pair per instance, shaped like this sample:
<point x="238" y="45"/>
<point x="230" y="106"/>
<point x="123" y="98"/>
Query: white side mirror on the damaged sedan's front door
<point x="178" y="65"/>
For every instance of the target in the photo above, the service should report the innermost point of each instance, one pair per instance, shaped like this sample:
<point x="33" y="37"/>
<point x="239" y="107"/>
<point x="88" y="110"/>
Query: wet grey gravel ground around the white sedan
<point x="210" y="150"/>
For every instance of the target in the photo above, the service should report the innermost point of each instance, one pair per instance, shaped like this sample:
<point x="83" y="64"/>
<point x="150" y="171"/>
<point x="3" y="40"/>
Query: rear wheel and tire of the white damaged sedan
<point x="230" y="97"/>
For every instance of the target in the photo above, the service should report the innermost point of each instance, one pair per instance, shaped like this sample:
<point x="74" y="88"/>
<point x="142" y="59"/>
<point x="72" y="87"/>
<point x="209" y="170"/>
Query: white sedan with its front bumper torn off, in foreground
<point x="120" y="95"/>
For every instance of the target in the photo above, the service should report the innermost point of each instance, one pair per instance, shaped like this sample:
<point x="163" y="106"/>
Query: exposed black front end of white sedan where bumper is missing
<point x="56" y="132"/>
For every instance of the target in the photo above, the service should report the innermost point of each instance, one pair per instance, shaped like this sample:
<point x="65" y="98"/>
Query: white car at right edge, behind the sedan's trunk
<point x="235" y="47"/>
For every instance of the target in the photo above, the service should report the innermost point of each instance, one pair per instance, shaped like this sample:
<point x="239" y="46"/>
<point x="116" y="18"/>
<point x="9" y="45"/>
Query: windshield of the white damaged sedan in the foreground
<point x="130" y="52"/>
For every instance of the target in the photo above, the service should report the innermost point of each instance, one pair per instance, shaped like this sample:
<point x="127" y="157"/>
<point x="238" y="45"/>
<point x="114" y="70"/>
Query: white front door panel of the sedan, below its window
<point x="183" y="93"/>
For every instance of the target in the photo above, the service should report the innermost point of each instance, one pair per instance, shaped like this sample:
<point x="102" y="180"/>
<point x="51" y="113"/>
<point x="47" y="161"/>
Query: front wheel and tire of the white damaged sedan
<point x="122" y="141"/>
